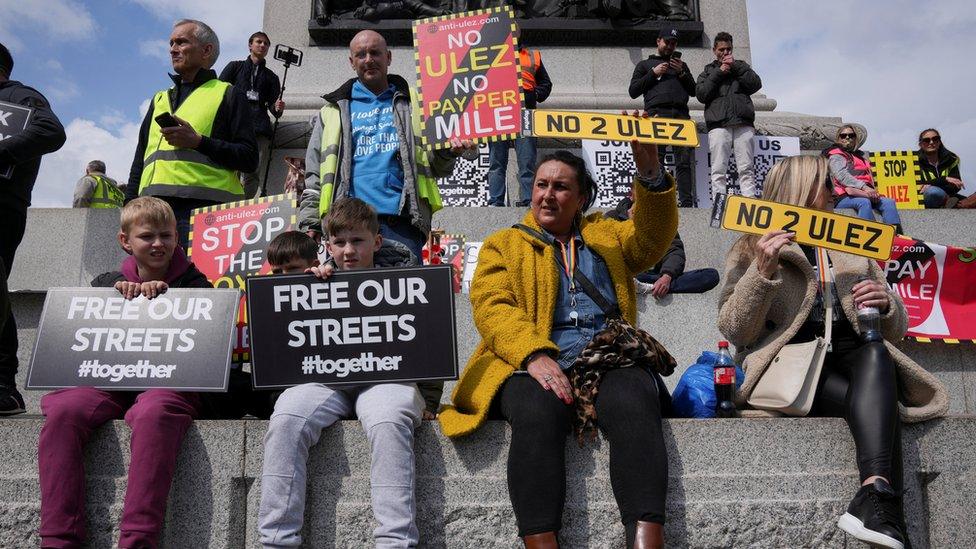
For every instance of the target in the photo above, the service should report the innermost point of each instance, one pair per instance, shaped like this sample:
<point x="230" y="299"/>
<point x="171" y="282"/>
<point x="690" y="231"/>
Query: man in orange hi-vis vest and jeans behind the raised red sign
<point x="536" y="87"/>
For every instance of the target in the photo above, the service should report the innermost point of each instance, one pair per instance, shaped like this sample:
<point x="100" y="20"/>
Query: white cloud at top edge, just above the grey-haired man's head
<point x="232" y="20"/>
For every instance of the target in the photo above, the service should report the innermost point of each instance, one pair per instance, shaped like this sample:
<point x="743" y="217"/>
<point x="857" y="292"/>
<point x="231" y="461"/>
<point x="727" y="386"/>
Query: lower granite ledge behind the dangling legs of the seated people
<point x="732" y="483"/>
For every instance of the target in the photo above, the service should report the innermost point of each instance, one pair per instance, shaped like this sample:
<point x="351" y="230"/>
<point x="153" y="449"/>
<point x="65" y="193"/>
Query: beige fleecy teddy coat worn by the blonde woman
<point x="759" y="316"/>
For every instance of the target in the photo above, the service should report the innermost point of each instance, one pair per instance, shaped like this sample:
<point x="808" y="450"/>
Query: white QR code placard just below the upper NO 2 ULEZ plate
<point x="612" y="167"/>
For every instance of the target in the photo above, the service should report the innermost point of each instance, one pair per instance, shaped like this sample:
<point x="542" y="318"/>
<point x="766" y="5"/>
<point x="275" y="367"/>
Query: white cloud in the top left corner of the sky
<point x="59" y="20"/>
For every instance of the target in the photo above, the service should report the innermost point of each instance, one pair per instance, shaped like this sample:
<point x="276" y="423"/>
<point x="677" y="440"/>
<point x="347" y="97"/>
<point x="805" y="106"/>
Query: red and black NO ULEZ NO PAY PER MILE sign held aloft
<point x="468" y="77"/>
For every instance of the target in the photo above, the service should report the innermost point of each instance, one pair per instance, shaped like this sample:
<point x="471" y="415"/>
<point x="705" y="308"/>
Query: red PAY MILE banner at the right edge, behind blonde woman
<point x="938" y="286"/>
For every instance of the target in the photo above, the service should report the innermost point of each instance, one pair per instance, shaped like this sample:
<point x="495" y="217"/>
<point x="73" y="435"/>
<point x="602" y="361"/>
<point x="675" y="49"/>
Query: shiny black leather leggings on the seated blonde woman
<point x="861" y="386"/>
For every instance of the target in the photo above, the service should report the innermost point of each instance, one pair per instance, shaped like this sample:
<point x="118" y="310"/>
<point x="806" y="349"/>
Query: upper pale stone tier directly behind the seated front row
<point x="685" y="324"/>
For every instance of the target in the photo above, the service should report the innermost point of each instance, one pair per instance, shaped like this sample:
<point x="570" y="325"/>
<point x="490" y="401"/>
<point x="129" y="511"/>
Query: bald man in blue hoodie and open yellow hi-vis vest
<point x="366" y="143"/>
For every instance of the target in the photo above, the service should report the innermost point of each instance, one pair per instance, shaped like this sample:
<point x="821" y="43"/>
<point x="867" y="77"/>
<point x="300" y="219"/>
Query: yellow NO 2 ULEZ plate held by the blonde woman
<point x="852" y="235"/>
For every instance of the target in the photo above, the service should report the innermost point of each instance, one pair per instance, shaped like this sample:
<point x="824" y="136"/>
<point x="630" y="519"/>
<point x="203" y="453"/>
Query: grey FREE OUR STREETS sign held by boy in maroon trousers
<point x="94" y="337"/>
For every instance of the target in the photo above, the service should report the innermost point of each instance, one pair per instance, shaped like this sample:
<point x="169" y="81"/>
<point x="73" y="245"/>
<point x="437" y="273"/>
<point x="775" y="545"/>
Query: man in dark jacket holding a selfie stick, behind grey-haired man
<point x="262" y="88"/>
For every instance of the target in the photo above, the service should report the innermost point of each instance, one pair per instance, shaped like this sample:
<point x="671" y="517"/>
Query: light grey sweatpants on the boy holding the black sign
<point x="389" y="413"/>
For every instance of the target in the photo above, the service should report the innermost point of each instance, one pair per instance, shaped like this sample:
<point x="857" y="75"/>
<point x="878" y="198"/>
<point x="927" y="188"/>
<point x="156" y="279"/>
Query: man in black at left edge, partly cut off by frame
<point x="20" y="153"/>
